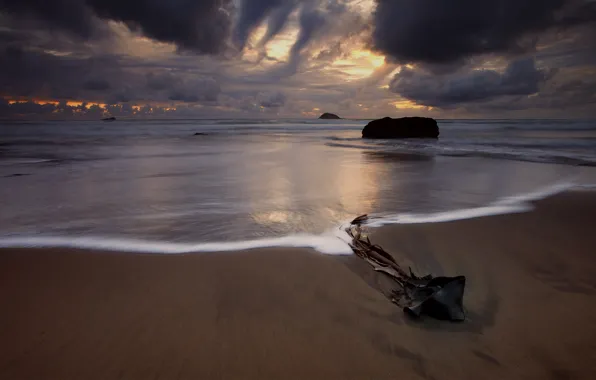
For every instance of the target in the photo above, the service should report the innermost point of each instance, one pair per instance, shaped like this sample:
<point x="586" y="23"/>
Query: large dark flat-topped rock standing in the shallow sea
<point x="402" y="128"/>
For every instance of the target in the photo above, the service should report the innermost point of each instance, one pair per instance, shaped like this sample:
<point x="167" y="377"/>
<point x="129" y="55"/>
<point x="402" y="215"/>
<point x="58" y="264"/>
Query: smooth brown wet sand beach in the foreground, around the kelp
<point x="299" y="314"/>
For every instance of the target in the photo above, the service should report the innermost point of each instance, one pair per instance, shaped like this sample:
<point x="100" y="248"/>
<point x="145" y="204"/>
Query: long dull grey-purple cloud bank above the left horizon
<point x="103" y="79"/>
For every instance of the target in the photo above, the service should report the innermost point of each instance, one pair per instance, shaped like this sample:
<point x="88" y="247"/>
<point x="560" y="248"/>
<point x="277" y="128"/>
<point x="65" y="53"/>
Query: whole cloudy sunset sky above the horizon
<point x="87" y="59"/>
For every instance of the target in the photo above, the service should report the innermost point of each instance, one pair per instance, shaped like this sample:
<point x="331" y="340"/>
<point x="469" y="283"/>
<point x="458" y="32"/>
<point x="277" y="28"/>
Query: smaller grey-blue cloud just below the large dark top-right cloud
<point x="521" y="78"/>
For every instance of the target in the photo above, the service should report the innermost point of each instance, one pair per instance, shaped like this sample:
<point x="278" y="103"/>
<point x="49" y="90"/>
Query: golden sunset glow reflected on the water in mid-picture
<point x="321" y="177"/>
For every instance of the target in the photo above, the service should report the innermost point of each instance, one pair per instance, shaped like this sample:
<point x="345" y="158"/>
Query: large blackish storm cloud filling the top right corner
<point x="445" y="31"/>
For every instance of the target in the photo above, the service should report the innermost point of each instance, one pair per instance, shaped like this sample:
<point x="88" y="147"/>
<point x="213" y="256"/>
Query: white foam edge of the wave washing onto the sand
<point x="333" y="242"/>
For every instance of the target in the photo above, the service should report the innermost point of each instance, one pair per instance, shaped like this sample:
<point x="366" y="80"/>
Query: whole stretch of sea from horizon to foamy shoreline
<point x="152" y="185"/>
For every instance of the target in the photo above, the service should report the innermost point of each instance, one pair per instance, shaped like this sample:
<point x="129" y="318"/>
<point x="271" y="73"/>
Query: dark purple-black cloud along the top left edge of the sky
<point x="202" y="26"/>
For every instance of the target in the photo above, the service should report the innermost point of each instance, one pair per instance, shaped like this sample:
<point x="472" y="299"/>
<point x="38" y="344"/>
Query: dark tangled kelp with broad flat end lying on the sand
<point x="438" y="297"/>
